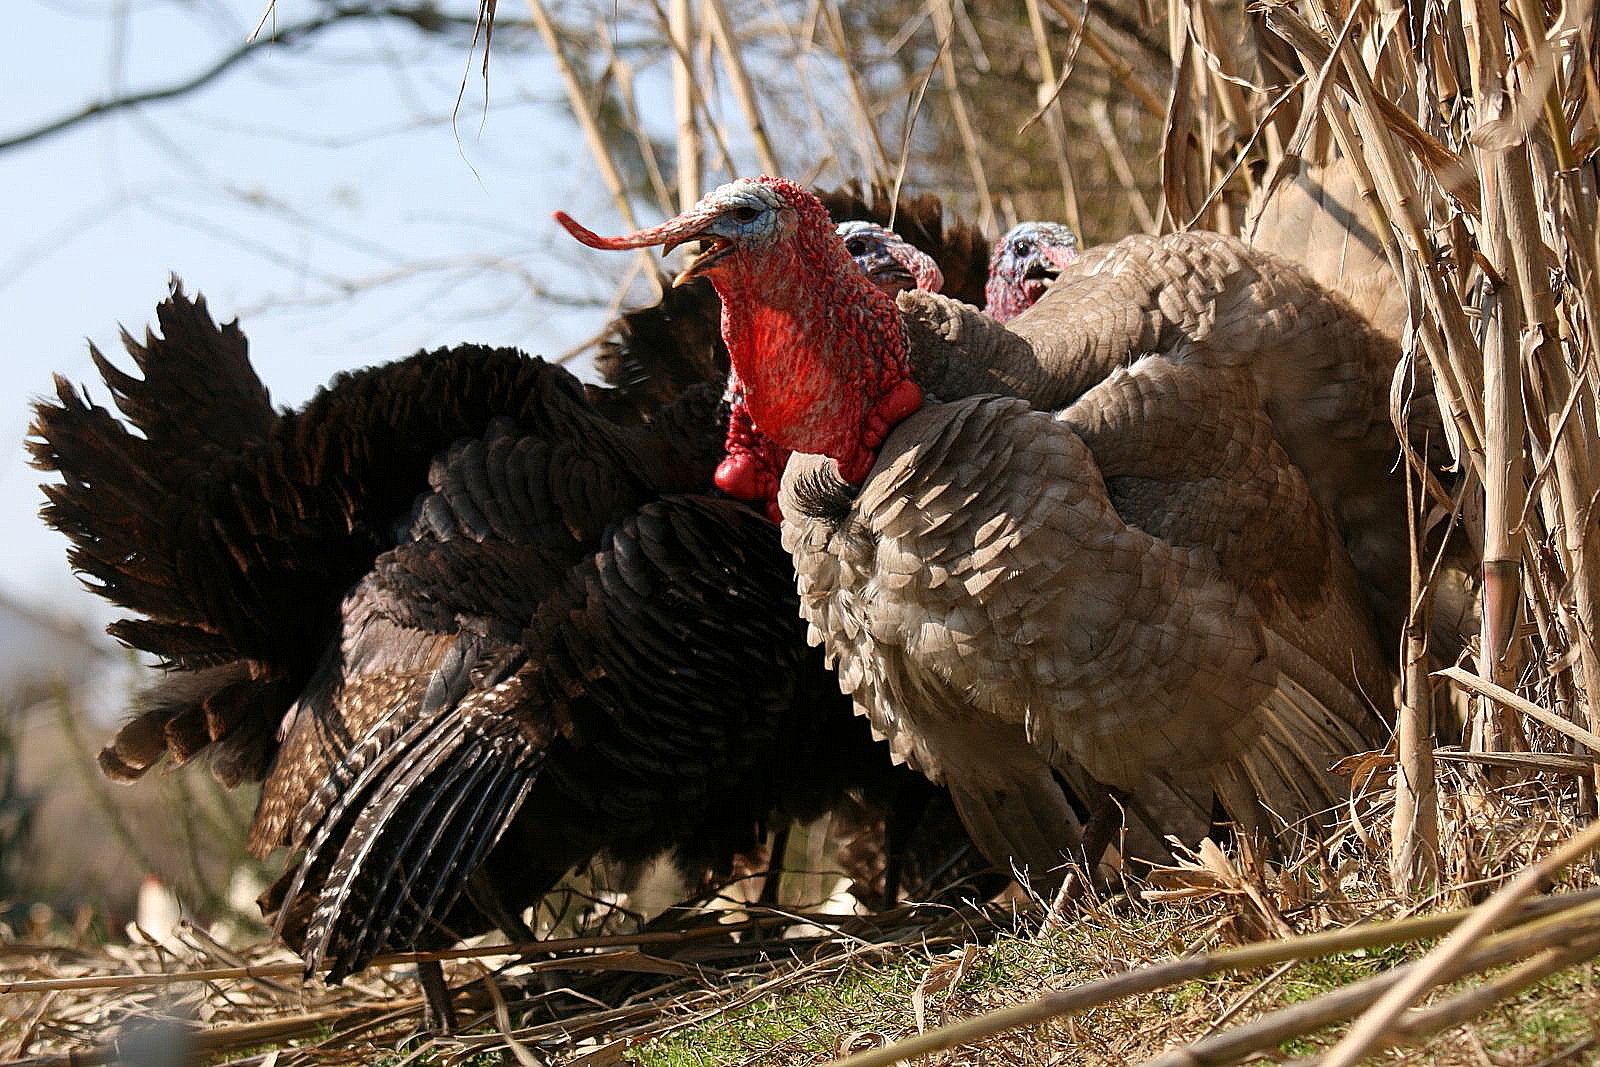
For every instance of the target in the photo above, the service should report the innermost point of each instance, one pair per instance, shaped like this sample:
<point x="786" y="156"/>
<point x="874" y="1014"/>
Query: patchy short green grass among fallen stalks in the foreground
<point x="807" y="1023"/>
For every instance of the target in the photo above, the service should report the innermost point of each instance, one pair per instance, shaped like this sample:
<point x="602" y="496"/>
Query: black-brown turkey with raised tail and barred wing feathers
<point x="468" y="629"/>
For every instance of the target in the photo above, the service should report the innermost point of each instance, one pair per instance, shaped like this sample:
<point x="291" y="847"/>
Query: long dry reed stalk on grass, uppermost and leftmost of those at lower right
<point x="1183" y="970"/>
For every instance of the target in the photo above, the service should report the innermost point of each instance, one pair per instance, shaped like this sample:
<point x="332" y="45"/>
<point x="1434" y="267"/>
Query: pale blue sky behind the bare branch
<point x="298" y="193"/>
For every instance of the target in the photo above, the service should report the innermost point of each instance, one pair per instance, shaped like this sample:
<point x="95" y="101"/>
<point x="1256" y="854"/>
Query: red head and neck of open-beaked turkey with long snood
<point x="817" y="350"/>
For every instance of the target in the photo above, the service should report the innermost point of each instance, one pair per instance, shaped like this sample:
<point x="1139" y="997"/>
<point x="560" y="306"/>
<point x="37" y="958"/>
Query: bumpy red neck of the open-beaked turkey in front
<point x="820" y="354"/>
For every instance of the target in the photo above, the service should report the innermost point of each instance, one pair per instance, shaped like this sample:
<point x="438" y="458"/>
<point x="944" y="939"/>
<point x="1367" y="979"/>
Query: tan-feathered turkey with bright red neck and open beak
<point x="1143" y="588"/>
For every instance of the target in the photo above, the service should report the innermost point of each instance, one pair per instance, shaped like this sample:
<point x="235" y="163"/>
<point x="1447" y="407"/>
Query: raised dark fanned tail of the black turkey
<point x="124" y="505"/>
